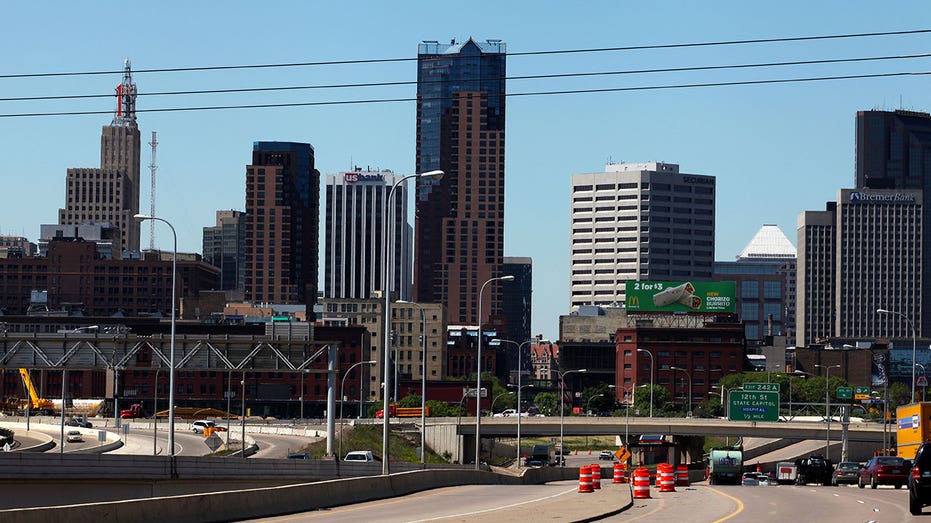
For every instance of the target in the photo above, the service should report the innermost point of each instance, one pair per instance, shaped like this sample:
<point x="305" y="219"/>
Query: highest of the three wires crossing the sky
<point x="527" y="53"/>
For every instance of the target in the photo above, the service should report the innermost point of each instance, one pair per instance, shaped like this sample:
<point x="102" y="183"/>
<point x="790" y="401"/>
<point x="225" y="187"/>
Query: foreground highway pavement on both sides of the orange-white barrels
<point x="698" y="503"/>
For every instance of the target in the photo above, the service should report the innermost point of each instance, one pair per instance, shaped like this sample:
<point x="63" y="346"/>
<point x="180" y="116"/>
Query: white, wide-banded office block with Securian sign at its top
<point x="638" y="222"/>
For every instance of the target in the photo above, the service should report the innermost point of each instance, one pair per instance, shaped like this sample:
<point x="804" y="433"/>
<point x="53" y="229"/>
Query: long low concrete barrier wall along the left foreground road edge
<point x="266" y="502"/>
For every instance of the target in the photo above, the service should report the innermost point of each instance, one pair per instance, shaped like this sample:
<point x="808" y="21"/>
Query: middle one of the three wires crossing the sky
<point x="523" y="77"/>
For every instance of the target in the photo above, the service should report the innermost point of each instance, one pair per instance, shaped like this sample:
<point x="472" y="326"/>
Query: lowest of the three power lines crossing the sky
<point x="508" y="95"/>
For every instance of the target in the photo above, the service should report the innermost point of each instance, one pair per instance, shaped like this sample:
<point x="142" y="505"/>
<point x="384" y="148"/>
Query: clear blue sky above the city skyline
<point x="776" y="150"/>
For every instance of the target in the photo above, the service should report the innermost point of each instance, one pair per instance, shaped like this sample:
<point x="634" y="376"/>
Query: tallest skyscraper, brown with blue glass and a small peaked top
<point x="459" y="232"/>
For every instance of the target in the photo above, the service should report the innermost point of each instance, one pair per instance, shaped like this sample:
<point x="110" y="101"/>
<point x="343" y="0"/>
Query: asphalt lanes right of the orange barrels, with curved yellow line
<point x="701" y="503"/>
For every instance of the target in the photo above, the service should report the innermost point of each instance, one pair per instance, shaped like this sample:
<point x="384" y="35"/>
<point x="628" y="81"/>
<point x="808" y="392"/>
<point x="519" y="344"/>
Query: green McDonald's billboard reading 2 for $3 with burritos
<point x="671" y="296"/>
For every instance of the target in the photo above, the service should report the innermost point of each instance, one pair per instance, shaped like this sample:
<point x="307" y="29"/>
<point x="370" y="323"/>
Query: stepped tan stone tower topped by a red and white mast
<point x="110" y="193"/>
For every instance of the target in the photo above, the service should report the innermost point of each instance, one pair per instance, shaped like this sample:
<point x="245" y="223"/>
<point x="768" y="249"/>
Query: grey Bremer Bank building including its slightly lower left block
<point x="863" y="253"/>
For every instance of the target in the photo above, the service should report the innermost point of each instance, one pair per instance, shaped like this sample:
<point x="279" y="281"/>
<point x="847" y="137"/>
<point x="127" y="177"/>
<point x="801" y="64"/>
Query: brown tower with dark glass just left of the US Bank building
<point x="282" y="216"/>
